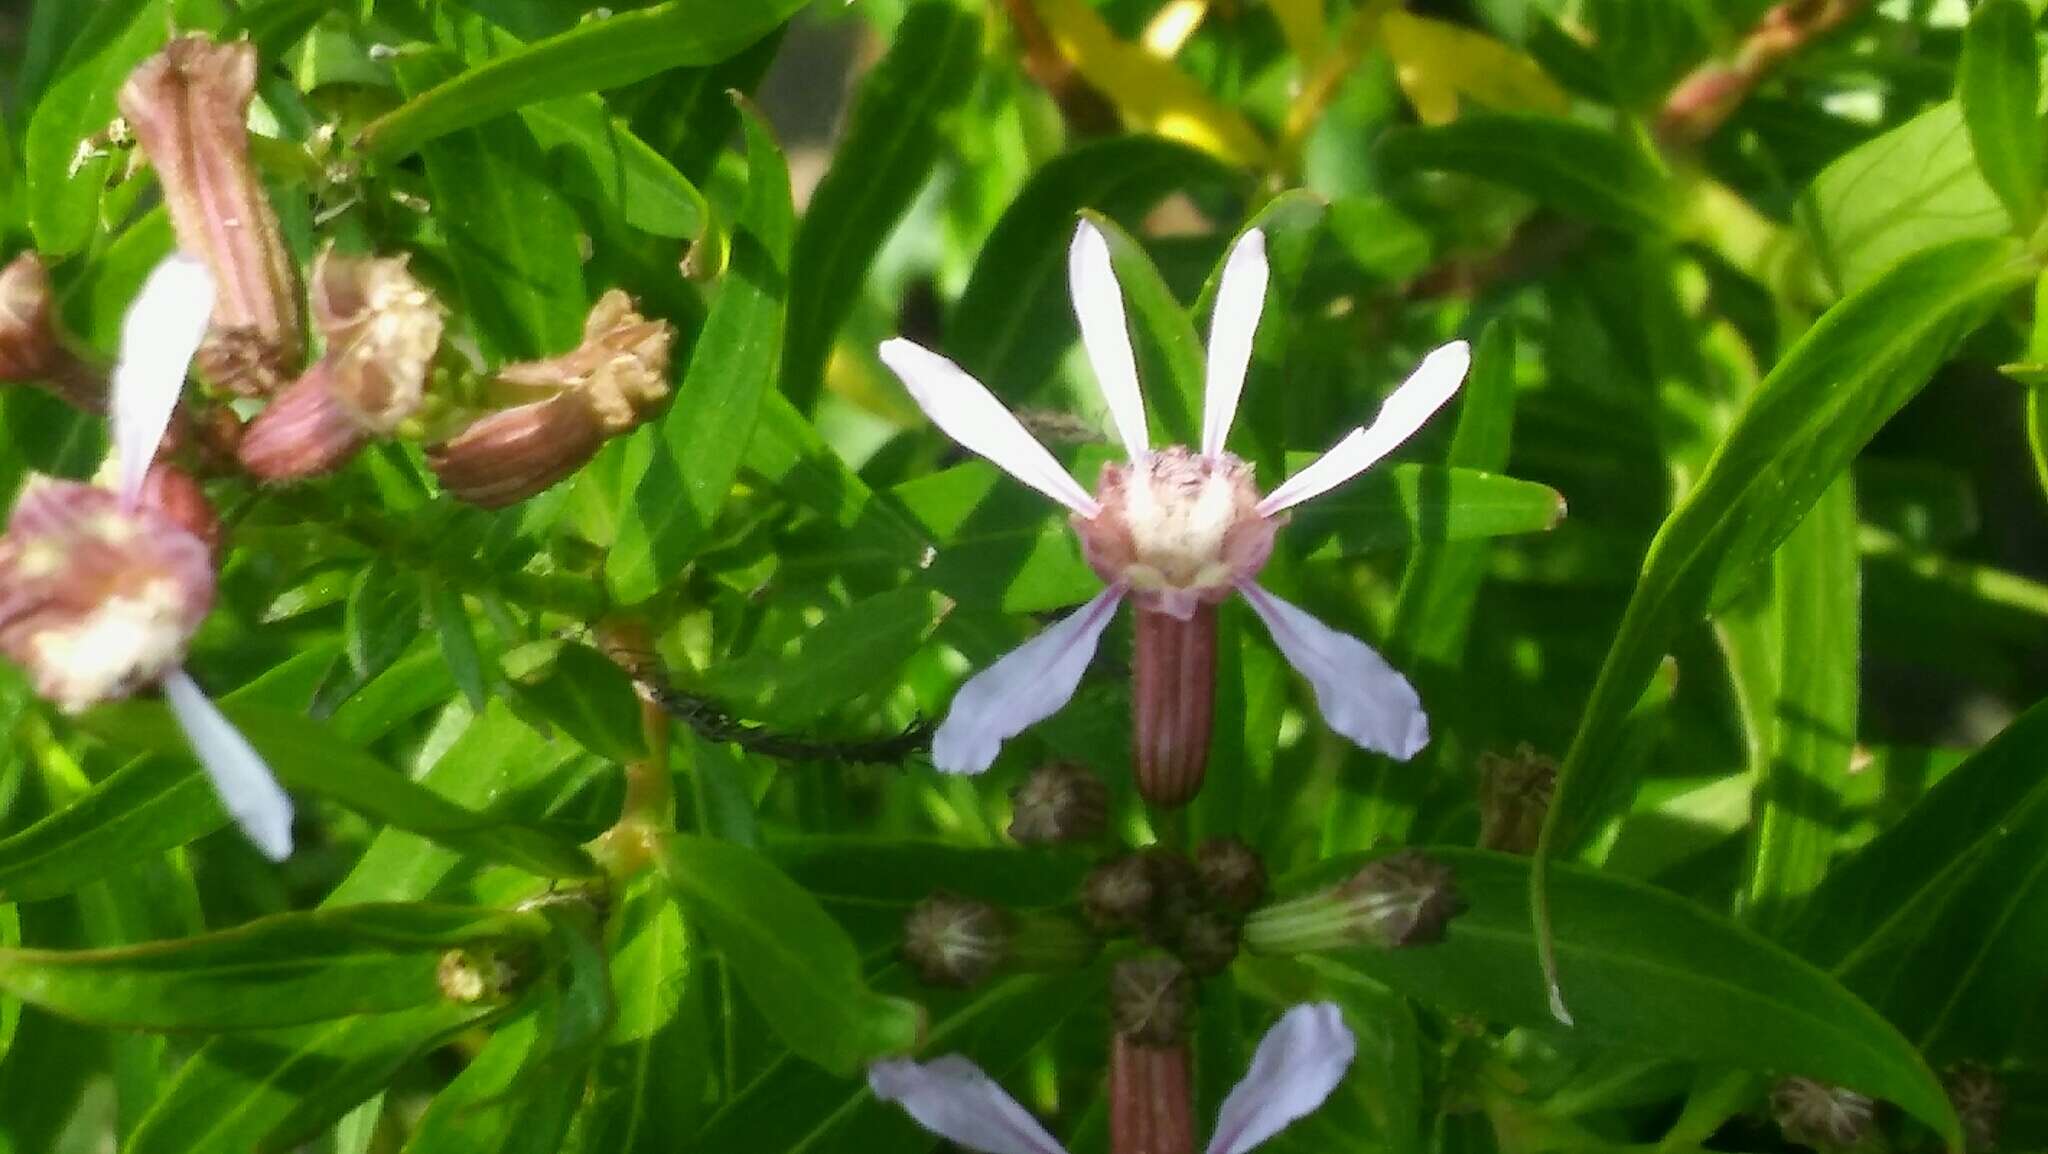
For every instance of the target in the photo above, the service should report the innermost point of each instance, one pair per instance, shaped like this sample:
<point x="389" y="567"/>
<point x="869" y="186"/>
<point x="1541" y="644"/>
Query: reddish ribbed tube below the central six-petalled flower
<point x="1172" y="704"/>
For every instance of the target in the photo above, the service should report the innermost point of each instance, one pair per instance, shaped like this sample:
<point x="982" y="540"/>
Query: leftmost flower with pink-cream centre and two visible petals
<point x="101" y="591"/>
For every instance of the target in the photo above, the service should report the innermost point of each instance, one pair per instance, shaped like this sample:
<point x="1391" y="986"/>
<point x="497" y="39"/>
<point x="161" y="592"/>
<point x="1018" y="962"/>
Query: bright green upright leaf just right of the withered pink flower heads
<point x="699" y="444"/>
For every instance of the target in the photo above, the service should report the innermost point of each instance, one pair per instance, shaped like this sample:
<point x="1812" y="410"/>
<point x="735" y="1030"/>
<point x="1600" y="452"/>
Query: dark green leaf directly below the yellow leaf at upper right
<point x="1576" y="169"/>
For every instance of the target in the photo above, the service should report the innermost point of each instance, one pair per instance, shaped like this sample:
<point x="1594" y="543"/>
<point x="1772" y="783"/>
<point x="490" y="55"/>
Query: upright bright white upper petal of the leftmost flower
<point x="159" y="339"/>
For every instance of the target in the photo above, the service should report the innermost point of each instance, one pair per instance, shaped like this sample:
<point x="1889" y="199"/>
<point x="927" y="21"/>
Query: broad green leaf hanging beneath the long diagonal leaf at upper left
<point x="511" y="233"/>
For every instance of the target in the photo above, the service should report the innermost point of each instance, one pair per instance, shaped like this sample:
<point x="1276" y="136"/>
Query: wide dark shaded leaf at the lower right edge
<point x="1943" y="921"/>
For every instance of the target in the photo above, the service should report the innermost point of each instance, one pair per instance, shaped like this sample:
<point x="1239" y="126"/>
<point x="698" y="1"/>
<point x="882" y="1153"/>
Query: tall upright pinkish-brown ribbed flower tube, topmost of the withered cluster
<point x="189" y="110"/>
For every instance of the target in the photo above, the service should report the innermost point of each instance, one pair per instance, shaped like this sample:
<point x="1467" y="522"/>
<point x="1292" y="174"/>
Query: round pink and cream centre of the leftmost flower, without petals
<point x="97" y="602"/>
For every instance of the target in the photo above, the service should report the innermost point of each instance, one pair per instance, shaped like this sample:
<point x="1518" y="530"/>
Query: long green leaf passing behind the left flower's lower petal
<point x="304" y="755"/>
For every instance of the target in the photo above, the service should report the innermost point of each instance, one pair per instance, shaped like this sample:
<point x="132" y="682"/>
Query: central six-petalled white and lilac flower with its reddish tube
<point x="1175" y="530"/>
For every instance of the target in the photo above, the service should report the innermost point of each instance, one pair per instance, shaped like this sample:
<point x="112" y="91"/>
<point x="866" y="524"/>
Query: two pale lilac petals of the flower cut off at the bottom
<point x="1297" y="1065"/>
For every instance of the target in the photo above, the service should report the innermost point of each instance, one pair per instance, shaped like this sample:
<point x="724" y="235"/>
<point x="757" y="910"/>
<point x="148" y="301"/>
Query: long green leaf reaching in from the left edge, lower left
<point x="280" y="971"/>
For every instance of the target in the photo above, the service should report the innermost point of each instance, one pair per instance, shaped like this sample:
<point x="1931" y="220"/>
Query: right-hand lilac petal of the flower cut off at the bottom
<point x="1299" y="1063"/>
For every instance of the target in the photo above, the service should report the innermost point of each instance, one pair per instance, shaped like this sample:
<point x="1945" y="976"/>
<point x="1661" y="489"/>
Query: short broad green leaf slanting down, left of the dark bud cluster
<point x="790" y="956"/>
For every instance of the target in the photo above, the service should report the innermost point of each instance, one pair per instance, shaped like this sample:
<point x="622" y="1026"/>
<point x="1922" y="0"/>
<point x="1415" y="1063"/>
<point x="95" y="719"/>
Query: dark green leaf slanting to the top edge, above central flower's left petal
<point x="884" y="159"/>
